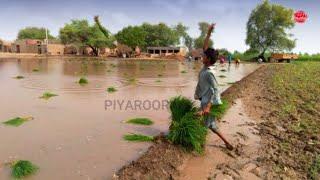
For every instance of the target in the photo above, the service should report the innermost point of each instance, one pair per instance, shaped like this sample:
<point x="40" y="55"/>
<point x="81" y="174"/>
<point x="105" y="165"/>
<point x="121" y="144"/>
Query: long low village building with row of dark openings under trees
<point x="166" y="51"/>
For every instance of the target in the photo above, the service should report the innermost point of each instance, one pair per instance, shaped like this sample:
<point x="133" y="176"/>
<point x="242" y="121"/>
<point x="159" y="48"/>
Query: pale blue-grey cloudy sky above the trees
<point x="230" y="15"/>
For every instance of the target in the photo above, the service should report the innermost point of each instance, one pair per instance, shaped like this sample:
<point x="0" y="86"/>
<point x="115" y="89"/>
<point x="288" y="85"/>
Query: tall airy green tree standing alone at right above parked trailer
<point x="267" y="26"/>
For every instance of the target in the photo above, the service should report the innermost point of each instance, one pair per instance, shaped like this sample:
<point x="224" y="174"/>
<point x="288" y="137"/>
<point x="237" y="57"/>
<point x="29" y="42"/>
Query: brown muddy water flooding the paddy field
<point x="75" y="135"/>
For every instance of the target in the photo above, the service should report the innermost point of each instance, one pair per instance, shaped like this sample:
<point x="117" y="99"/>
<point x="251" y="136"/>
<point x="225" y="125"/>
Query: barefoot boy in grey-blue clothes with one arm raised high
<point x="207" y="87"/>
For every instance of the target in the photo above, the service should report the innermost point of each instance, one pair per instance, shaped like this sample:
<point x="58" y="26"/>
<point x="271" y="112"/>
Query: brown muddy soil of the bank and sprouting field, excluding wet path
<point x="286" y="120"/>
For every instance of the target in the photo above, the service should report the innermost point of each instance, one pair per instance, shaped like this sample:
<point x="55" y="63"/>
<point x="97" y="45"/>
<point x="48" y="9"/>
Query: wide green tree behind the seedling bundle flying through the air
<point x="79" y="32"/>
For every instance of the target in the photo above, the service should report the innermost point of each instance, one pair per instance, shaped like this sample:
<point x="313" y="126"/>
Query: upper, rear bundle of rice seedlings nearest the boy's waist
<point x="179" y="106"/>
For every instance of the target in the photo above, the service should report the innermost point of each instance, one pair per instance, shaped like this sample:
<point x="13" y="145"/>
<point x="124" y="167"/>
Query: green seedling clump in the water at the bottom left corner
<point x="23" y="168"/>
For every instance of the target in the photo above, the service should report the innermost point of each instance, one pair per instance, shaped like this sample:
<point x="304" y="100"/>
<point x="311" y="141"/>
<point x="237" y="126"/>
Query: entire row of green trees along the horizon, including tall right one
<point x="266" y="32"/>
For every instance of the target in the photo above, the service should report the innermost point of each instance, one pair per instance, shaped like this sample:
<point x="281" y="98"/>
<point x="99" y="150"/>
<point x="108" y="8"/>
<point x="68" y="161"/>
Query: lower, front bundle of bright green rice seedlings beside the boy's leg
<point x="189" y="132"/>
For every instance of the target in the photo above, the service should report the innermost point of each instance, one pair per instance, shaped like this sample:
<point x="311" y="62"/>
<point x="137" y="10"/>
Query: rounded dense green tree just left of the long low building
<point x="132" y="36"/>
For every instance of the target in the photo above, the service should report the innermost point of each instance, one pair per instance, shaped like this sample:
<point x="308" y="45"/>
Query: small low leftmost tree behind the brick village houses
<point x="34" y="33"/>
